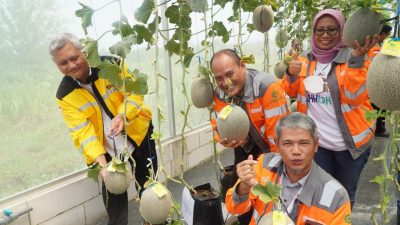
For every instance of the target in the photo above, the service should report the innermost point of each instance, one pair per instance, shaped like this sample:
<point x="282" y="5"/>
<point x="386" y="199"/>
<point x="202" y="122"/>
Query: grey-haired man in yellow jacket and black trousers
<point x="93" y="110"/>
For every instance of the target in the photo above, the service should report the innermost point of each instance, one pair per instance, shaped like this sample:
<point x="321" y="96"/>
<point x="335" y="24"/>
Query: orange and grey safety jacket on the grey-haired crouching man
<point x="323" y="200"/>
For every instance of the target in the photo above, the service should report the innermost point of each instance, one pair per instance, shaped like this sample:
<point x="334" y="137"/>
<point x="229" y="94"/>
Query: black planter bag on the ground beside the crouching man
<point x="207" y="211"/>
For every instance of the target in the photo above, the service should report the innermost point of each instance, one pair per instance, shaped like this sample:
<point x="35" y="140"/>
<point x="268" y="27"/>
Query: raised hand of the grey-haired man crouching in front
<point x="247" y="175"/>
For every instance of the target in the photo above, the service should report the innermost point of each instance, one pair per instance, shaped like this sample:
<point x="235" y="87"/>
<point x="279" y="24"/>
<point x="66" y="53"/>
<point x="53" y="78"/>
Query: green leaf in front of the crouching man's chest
<point x="268" y="192"/>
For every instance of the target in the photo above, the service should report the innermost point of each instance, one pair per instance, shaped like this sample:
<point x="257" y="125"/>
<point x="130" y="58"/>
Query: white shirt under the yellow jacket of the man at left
<point x="108" y="142"/>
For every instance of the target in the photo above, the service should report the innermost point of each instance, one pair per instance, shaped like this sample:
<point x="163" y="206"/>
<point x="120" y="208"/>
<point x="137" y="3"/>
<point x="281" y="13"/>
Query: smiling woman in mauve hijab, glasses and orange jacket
<point x="329" y="86"/>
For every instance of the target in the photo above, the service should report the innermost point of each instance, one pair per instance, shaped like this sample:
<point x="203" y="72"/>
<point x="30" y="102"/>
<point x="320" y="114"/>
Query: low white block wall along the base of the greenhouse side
<point x="75" y="199"/>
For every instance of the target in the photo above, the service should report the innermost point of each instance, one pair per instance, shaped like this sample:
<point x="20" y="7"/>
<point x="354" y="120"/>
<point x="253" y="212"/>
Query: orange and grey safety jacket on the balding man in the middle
<point x="265" y="104"/>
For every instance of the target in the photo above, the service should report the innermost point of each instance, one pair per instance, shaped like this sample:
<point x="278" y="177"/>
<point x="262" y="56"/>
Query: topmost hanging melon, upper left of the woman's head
<point x="263" y="18"/>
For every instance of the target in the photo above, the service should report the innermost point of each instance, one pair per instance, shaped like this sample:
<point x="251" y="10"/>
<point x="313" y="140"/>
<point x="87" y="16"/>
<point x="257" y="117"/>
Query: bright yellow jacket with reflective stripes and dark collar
<point x="83" y="117"/>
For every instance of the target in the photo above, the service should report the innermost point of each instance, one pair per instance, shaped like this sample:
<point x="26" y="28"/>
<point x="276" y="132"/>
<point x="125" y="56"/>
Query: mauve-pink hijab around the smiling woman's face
<point x="326" y="56"/>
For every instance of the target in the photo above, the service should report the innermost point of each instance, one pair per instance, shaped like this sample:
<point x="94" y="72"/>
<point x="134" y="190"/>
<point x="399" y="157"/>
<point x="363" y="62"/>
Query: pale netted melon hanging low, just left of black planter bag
<point x="153" y="208"/>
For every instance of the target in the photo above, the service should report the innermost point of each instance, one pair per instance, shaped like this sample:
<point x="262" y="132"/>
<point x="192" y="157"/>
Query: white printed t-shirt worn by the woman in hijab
<point x="321" y="110"/>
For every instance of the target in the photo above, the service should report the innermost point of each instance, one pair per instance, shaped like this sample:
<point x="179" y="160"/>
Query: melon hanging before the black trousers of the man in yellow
<point x="117" y="182"/>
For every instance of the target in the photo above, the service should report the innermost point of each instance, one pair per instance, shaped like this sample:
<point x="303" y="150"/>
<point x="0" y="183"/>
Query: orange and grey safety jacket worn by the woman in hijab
<point x="347" y="84"/>
